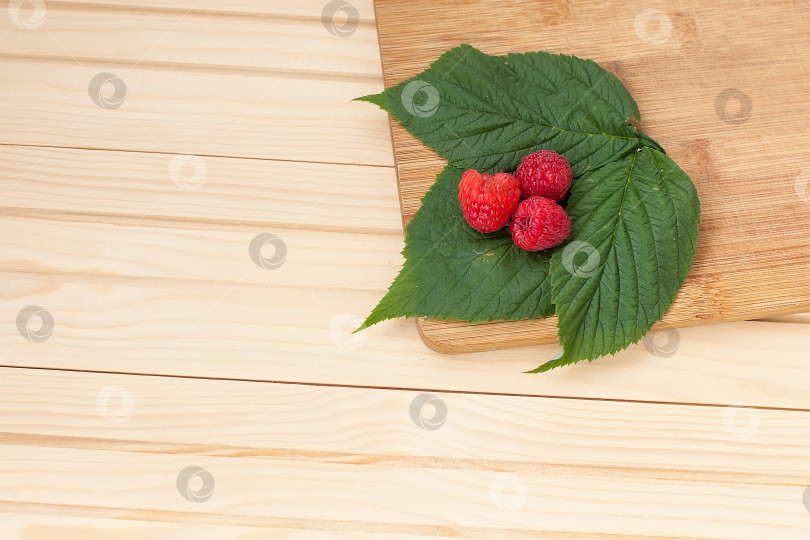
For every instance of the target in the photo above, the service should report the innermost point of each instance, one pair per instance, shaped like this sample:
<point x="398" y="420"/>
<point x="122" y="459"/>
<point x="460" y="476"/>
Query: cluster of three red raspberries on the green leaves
<point x="538" y="222"/>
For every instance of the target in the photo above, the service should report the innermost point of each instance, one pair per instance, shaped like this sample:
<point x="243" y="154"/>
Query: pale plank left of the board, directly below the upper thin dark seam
<point x="144" y="187"/>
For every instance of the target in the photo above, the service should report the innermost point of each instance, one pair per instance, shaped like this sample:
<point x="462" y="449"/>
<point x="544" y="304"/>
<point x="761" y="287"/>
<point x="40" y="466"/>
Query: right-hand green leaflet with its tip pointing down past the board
<point x="635" y="228"/>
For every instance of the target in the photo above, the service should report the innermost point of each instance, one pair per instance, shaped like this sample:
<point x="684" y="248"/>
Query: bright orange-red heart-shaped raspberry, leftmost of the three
<point x="488" y="201"/>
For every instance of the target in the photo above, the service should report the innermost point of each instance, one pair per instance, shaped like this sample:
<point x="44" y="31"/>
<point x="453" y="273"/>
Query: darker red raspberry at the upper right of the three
<point x="545" y="174"/>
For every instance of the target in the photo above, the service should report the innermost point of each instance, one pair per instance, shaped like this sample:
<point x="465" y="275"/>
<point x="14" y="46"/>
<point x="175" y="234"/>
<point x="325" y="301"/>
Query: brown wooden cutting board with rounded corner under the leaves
<point x="725" y="88"/>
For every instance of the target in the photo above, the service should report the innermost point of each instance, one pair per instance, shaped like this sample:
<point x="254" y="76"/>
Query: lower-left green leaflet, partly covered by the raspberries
<point x="452" y="271"/>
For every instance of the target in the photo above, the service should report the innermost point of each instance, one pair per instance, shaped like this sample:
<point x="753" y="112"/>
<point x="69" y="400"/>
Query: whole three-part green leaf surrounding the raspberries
<point x="635" y="214"/>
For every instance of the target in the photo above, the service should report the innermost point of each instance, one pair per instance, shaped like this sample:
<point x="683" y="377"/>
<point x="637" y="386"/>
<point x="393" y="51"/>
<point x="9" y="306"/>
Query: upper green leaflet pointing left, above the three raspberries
<point x="487" y="112"/>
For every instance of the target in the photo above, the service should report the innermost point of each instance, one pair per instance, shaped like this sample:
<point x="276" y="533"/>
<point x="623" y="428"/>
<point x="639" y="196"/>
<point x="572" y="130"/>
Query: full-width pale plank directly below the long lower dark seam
<point x="281" y="422"/>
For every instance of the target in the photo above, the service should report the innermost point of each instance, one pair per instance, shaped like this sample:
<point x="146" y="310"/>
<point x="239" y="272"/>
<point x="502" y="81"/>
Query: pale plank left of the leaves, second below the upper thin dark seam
<point x="203" y="252"/>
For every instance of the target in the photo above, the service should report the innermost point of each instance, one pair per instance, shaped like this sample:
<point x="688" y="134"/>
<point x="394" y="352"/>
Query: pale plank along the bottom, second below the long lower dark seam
<point x="370" y="498"/>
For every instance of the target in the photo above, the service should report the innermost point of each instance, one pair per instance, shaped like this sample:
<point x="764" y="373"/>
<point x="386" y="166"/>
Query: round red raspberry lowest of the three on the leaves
<point x="539" y="223"/>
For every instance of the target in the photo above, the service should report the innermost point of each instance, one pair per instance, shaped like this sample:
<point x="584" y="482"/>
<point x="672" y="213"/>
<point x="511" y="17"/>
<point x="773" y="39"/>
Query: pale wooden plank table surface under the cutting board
<point x="194" y="217"/>
